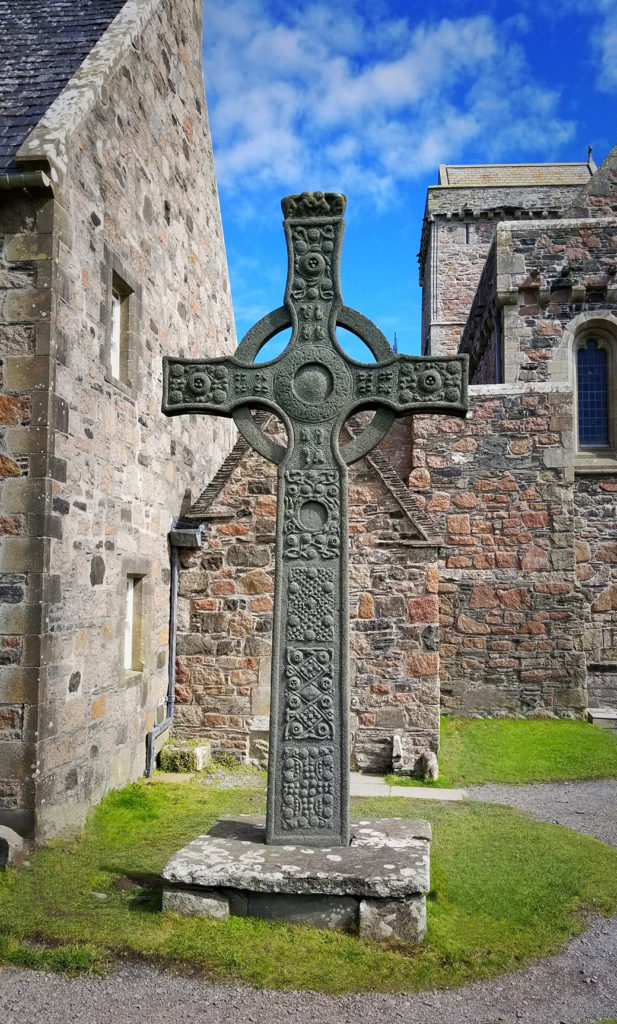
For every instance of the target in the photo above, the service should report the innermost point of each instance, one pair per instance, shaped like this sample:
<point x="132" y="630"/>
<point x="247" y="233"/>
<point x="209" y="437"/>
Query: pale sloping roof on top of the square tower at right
<point x="484" y="176"/>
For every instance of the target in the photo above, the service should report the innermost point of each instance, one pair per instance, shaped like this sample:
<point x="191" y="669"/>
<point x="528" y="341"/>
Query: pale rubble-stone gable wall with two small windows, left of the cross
<point x="135" y="195"/>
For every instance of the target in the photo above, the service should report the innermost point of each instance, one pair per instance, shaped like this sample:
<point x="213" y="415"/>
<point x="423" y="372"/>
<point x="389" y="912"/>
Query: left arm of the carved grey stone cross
<point x="215" y="387"/>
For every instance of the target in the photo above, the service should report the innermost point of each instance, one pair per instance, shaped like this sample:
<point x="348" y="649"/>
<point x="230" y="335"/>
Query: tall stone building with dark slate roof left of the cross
<point x="111" y="255"/>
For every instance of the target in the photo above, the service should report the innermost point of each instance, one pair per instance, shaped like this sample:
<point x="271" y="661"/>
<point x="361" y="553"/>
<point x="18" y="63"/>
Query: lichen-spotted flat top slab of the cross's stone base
<point x="386" y="859"/>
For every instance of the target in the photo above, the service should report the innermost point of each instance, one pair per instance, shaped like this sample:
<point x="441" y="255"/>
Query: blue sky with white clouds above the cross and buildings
<point x="368" y="99"/>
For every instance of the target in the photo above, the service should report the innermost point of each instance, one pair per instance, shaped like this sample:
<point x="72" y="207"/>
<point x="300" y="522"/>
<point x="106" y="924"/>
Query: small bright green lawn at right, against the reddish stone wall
<point x="476" y="751"/>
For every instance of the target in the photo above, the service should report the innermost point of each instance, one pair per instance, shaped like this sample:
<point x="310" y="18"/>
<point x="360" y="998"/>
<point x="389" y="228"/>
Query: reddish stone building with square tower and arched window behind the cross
<point x="483" y="551"/>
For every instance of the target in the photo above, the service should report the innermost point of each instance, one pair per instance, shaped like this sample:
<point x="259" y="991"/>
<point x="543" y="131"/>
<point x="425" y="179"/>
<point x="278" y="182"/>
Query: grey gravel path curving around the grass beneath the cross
<point x="579" y="986"/>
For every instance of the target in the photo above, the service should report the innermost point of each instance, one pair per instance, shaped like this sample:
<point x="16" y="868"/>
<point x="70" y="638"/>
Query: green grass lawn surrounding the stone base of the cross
<point x="506" y="890"/>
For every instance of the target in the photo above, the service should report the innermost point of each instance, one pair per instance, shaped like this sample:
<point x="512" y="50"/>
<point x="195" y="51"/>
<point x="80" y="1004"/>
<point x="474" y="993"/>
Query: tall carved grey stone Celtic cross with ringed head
<point x="314" y="388"/>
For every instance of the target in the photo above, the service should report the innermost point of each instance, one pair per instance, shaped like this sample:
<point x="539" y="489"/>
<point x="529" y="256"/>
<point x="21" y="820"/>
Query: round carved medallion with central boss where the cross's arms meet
<point x="315" y="389"/>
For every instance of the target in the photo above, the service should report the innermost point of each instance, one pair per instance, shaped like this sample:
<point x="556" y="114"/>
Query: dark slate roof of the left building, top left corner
<point x="43" y="42"/>
